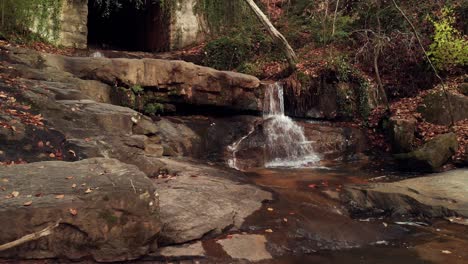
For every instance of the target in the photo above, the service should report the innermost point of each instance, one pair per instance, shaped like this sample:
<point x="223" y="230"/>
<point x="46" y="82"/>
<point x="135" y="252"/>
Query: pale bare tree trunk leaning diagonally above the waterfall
<point x="275" y="34"/>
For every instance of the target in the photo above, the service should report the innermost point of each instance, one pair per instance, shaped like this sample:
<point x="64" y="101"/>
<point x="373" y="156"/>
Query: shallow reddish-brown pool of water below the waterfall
<point x="306" y="223"/>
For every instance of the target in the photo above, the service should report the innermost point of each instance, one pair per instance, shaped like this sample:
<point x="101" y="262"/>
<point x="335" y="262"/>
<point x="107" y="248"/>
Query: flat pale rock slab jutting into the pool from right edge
<point x="436" y="195"/>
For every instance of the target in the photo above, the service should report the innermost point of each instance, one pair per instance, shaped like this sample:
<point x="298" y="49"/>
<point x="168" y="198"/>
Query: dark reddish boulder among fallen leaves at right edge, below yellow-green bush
<point x="435" y="108"/>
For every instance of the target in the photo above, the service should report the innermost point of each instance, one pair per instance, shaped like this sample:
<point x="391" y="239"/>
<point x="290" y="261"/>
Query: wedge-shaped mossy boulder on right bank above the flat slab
<point x="432" y="155"/>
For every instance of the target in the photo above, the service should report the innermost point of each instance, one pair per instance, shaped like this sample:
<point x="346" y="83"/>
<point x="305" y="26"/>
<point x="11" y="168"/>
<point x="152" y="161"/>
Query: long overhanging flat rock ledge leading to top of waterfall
<point x="165" y="82"/>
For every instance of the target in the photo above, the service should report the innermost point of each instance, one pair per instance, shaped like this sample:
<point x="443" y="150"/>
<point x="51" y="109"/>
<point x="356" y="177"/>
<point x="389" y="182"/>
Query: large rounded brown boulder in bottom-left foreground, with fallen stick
<point x="106" y="210"/>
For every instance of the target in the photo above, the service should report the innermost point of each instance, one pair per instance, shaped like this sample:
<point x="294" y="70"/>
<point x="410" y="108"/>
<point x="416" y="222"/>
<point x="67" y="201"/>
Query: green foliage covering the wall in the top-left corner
<point x="28" y="20"/>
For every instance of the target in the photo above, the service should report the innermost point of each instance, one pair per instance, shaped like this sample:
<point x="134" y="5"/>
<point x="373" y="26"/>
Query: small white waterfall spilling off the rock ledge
<point x="285" y="142"/>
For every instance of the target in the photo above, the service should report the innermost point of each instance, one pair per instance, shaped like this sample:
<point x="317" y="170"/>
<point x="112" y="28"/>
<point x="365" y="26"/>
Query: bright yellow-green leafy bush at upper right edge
<point x="449" y="47"/>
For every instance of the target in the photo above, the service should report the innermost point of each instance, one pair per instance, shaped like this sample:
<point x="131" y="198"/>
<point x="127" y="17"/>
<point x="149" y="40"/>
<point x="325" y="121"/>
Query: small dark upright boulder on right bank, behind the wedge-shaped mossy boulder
<point x="401" y="132"/>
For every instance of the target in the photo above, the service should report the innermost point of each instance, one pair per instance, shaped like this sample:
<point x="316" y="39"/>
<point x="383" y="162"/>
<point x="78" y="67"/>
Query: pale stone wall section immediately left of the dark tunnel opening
<point x="74" y="24"/>
